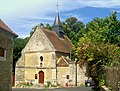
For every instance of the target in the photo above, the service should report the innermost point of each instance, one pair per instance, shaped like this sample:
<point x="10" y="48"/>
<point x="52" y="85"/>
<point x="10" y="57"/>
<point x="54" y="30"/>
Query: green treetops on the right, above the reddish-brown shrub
<point x="108" y="29"/>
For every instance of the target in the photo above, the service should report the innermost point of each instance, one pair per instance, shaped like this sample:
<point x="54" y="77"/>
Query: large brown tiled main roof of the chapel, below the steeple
<point x="60" y="44"/>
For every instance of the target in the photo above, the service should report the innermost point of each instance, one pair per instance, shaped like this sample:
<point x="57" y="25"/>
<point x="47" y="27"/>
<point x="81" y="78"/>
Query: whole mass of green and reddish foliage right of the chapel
<point x="100" y="45"/>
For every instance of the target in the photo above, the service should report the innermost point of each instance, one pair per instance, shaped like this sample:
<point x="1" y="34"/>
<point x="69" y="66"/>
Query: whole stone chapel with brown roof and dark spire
<point x="46" y="58"/>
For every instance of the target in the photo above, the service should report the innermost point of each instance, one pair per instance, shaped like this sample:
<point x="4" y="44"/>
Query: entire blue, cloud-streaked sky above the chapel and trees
<point x="22" y="15"/>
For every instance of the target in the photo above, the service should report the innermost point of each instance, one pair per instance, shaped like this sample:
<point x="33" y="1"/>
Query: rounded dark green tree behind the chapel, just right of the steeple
<point x="74" y="29"/>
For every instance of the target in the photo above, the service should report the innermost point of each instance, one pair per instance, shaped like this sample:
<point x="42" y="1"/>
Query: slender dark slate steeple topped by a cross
<point x="57" y="26"/>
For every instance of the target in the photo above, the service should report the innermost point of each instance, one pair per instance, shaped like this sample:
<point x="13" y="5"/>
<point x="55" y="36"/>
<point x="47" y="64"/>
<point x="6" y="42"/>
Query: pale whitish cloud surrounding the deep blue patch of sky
<point x="26" y="13"/>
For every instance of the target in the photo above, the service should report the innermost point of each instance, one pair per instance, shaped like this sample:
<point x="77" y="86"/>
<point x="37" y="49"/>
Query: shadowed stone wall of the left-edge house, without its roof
<point x="6" y="65"/>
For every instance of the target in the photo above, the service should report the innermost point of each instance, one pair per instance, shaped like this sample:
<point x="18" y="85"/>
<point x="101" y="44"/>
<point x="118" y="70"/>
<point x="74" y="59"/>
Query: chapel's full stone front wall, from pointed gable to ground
<point x="29" y="63"/>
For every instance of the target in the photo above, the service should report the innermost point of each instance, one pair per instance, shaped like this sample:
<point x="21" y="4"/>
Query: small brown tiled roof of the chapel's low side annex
<point x="63" y="62"/>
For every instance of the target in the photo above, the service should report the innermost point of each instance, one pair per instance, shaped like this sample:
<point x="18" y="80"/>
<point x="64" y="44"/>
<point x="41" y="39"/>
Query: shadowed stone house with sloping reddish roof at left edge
<point x="6" y="56"/>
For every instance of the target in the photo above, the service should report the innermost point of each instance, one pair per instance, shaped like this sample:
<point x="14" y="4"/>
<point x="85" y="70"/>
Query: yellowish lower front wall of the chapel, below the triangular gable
<point x="29" y="65"/>
